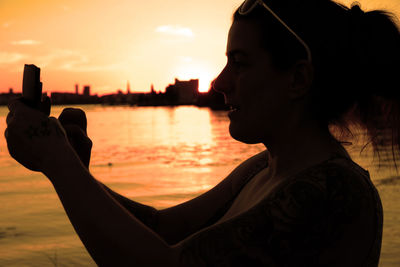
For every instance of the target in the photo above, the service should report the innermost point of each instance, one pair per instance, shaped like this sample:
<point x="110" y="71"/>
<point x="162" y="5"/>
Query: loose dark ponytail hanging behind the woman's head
<point x="377" y="105"/>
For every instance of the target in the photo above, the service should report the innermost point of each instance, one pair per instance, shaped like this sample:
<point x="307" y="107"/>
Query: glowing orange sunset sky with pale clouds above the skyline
<point x="105" y="44"/>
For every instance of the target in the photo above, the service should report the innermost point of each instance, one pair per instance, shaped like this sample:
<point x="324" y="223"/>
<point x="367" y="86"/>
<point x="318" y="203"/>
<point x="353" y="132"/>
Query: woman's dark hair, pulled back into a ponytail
<point x="356" y="60"/>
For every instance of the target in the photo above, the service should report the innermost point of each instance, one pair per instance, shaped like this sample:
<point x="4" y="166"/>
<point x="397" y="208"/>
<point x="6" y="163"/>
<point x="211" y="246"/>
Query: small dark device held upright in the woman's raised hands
<point x="31" y="86"/>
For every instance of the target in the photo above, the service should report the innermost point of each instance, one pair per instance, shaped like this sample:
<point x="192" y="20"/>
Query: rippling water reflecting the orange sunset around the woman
<point x="158" y="156"/>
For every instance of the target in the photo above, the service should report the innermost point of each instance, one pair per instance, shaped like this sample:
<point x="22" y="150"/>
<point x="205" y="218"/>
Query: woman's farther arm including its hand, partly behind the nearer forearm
<point x="172" y="224"/>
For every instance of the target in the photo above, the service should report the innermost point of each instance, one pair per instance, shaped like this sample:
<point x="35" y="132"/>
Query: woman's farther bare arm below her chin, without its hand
<point x="177" y="223"/>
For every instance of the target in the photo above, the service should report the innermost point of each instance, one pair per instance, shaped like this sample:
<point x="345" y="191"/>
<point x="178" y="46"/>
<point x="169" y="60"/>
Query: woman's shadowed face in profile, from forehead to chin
<point x="253" y="86"/>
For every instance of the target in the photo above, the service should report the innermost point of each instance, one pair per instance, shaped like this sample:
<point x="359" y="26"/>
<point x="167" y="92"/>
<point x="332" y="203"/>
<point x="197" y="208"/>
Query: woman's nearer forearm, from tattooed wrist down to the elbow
<point x="112" y="235"/>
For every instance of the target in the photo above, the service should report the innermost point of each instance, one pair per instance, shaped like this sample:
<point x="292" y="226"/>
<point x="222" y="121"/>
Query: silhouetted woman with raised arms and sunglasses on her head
<point x="295" y="68"/>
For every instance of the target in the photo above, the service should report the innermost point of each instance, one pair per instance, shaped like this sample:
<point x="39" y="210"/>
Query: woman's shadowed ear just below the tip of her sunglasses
<point x="302" y="76"/>
